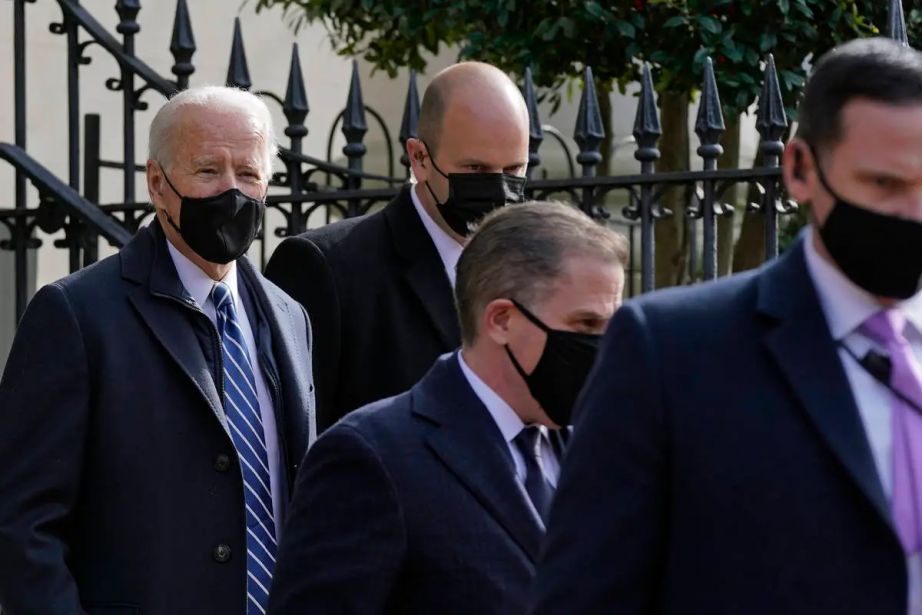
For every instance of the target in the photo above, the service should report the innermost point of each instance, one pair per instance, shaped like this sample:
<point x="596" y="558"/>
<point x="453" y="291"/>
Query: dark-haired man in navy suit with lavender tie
<point x="754" y="445"/>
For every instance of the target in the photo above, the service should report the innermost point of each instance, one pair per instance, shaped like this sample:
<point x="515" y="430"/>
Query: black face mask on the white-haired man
<point x="218" y="228"/>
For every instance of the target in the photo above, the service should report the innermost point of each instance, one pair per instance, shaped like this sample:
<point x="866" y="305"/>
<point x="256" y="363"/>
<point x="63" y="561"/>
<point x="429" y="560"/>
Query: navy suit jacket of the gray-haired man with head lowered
<point x="410" y="505"/>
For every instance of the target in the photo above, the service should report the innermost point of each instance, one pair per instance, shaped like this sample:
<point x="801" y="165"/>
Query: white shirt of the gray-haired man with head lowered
<point x="510" y="425"/>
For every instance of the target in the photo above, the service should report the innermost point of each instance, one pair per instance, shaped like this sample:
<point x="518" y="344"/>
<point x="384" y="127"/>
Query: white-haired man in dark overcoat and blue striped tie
<point x="155" y="406"/>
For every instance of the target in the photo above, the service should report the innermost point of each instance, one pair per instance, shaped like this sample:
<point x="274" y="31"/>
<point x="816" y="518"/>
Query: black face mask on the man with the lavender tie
<point x="880" y="253"/>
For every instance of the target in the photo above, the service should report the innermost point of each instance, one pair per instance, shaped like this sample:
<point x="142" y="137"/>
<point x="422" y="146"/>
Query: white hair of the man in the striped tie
<point x="219" y="98"/>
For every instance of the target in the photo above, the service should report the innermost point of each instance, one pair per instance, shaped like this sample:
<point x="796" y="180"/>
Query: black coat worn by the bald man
<point x="379" y="300"/>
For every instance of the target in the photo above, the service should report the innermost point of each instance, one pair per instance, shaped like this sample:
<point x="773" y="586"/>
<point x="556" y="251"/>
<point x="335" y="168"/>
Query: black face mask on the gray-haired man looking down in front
<point x="561" y="371"/>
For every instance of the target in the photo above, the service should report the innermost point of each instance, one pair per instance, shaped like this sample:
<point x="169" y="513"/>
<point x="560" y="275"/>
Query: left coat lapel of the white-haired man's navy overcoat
<point x="165" y="307"/>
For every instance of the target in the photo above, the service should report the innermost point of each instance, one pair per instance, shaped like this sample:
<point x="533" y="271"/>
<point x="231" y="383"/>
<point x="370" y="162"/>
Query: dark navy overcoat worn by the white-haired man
<point x="115" y="485"/>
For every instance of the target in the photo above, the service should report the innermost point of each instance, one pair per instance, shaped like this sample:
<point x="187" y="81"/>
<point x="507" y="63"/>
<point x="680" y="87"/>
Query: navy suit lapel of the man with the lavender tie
<point x="806" y="354"/>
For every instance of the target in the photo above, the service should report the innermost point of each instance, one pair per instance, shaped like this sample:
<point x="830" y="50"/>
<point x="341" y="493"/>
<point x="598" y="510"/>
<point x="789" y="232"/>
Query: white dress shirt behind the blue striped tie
<point x="199" y="285"/>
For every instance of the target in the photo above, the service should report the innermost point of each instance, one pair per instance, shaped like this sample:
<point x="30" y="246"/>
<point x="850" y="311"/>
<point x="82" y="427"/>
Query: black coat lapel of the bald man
<point x="423" y="271"/>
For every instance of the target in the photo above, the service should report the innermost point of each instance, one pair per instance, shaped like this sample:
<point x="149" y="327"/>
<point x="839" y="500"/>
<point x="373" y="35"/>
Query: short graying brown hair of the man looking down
<point x="518" y="251"/>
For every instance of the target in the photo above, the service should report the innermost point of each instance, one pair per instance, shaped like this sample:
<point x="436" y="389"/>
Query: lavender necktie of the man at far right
<point x="886" y="328"/>
